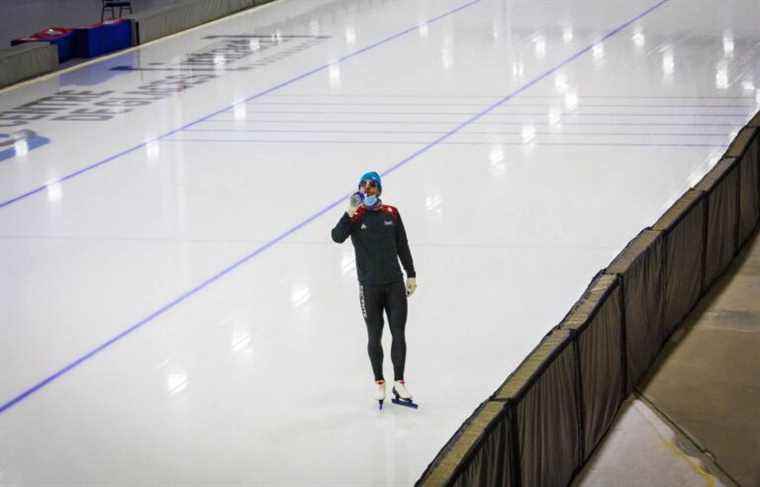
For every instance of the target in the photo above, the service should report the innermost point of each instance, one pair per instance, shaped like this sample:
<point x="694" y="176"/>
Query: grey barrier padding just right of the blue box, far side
<point x="163" y="21"/>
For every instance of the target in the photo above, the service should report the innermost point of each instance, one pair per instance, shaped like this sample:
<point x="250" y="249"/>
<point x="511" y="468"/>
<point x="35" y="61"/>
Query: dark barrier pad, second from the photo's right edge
<point x="721" y="188"/>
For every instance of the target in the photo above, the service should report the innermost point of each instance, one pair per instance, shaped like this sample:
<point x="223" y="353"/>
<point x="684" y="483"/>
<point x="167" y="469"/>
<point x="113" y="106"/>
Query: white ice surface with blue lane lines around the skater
<point x="173" y="309"/>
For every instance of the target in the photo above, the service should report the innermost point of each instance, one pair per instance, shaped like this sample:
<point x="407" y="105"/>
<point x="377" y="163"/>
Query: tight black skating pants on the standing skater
<point x="390" y="298"/>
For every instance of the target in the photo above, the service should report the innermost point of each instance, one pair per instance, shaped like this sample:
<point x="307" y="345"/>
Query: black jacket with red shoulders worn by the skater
<point x="379" y="241"/>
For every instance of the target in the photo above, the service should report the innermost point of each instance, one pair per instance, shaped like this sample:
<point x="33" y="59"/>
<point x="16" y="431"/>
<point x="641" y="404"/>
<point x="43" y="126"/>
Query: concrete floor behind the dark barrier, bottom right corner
<point x="694" y="419"/>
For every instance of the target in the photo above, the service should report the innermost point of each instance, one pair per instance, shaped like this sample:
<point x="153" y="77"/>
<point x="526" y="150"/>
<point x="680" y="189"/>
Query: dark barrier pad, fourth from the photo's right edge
<point x="639" y="266"/>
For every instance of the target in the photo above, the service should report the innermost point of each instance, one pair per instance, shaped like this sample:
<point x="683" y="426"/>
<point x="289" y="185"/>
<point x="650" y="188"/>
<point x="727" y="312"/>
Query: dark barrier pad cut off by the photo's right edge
<point x="746" y="148"/>
